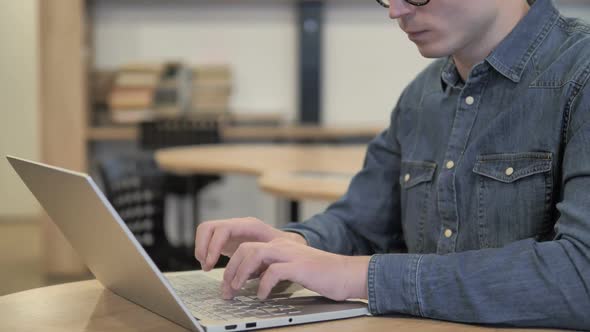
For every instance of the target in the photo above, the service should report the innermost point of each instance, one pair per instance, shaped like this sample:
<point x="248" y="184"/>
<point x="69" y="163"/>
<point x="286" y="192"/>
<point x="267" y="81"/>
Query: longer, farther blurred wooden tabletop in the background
<point x="257" y="159"/>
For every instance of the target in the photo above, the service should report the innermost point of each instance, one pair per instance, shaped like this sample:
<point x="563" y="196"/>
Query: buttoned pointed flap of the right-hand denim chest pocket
<point x="510" y="167"/>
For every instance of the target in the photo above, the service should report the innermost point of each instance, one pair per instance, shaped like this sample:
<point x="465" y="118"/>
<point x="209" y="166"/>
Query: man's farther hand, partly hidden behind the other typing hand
<point x="222" y="237"/>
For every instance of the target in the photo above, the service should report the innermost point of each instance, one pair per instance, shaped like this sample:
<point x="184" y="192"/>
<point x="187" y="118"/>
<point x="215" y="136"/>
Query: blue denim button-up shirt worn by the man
<point x="475" y="202"/>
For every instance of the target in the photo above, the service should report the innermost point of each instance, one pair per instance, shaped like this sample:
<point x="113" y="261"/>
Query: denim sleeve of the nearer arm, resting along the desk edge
<point x="526" y="283"/>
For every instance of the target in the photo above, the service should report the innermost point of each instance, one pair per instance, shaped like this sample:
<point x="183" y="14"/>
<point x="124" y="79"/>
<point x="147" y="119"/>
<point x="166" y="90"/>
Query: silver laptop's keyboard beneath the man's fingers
<point x="202" y="295"/>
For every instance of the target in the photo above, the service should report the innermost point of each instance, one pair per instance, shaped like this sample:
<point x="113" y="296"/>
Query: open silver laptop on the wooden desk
<point x="190" y="299"/>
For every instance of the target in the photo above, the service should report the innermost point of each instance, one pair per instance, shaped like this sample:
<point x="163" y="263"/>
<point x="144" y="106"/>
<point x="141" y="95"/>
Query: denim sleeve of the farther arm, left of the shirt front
<point x="367" y="218"/>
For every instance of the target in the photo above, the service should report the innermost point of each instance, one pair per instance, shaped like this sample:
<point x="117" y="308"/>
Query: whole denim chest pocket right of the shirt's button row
<point x="514" y="196"/>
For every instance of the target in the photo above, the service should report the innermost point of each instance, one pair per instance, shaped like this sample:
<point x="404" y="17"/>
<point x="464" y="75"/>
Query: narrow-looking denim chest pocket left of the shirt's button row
<point x="416" y="185"/>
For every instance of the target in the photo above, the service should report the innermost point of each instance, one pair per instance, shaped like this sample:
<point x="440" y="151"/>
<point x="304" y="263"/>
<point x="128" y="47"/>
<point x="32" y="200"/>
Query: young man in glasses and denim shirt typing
<point x="473" y="206"/>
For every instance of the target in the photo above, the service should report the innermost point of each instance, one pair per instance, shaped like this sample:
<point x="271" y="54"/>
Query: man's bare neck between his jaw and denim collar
<point x="477" y="51"/>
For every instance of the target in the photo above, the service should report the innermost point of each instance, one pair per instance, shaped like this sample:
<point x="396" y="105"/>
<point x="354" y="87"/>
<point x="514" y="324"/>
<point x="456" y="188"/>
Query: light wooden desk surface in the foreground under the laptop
<point x="87" y="306"/>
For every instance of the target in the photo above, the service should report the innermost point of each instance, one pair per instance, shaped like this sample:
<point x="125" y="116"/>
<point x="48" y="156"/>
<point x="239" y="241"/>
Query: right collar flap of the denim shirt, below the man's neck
<point x="512" y="55"/>
